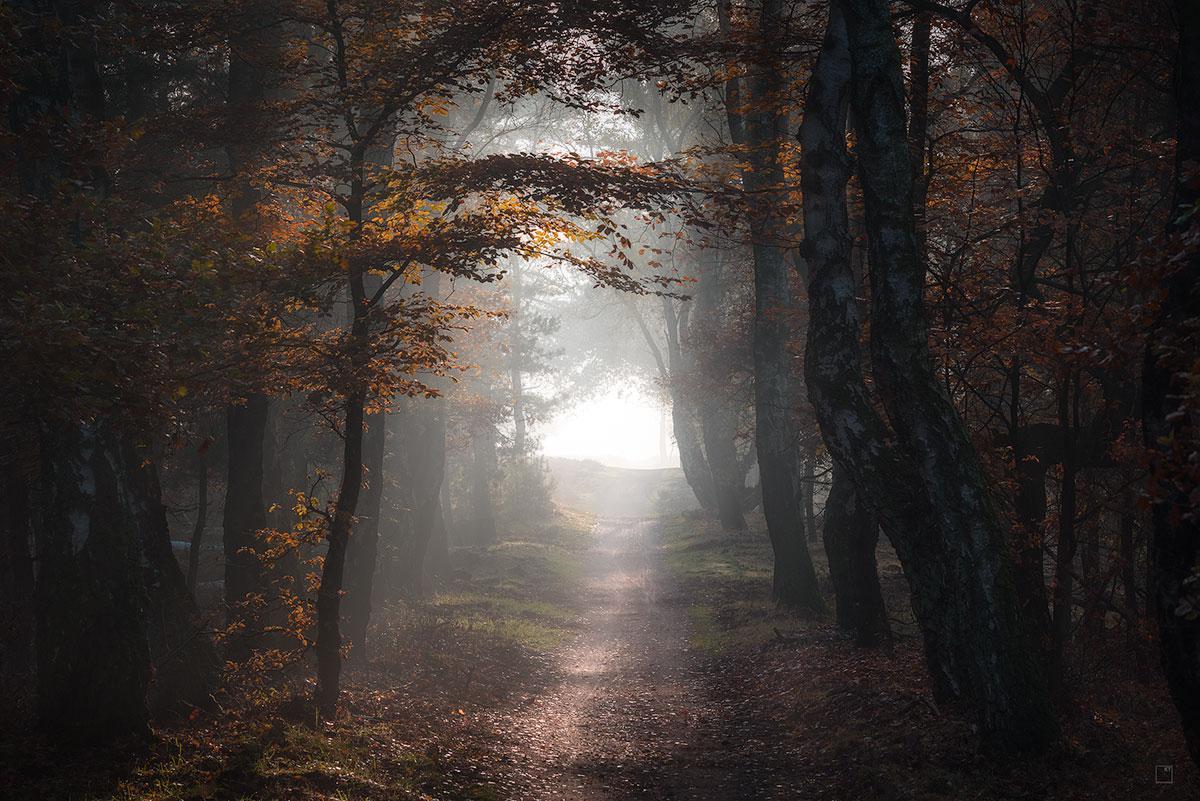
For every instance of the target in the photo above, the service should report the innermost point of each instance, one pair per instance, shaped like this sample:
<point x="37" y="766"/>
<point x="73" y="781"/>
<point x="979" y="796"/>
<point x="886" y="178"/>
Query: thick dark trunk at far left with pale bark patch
<point x="93" y="657"/>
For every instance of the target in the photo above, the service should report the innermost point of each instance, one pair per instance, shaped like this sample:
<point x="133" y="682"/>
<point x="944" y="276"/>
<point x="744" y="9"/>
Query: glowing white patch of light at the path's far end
<point x="623" y="430"/>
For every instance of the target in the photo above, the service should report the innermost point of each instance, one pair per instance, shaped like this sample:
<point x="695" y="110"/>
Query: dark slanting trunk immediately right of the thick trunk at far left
<point x="185" y="663"/>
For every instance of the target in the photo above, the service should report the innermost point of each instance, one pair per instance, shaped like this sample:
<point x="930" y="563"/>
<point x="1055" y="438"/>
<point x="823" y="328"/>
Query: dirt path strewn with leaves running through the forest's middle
<point x="633" y="716"/>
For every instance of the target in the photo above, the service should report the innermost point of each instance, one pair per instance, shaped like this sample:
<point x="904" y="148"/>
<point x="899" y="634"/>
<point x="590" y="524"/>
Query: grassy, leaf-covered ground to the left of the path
<point x="416" y="722"/>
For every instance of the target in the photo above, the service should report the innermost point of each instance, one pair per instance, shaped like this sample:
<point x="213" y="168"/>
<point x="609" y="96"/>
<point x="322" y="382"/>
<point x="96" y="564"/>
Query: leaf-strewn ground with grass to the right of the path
<point x="854" y="724"/>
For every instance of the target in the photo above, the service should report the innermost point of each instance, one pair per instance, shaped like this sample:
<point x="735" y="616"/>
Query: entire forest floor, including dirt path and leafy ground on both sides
<point x="623" y="651"/>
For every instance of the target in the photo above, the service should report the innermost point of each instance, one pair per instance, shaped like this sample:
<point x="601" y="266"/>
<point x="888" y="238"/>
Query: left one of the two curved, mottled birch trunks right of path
<point x="857" y="438"/>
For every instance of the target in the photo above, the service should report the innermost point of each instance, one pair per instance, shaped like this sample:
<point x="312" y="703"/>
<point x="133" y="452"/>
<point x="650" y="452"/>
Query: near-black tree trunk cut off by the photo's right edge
<point x="1169" y="427"/>
